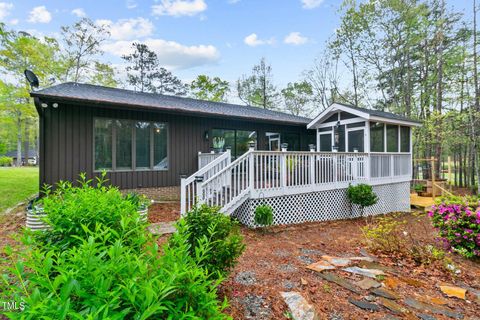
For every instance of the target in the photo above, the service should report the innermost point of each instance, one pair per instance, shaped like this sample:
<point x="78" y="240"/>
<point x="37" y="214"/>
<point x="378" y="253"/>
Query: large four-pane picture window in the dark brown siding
<point x="130" y="145"/>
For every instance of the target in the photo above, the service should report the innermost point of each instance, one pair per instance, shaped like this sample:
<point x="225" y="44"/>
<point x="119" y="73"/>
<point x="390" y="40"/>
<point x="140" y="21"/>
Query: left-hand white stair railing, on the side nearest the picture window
<point x="189" y="186"/>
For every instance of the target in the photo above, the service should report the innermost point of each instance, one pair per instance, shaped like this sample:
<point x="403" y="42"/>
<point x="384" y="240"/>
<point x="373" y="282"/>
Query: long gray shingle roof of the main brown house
<point x="97" y="95"/>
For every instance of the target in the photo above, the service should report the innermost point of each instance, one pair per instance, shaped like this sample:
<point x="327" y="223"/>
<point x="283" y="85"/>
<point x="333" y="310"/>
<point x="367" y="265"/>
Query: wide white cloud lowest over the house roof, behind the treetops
<point x="171" y="55"/>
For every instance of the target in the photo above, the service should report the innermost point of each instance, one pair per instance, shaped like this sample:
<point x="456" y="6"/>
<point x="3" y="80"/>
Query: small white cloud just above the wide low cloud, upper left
<point x="126" y="29"/>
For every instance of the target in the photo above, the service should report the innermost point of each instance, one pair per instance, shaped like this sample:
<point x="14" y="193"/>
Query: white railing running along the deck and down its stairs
<point x="259" y="174"/>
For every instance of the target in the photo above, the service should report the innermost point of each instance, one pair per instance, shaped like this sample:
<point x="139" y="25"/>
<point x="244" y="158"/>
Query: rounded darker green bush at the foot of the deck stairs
<point x="223" y="235"/>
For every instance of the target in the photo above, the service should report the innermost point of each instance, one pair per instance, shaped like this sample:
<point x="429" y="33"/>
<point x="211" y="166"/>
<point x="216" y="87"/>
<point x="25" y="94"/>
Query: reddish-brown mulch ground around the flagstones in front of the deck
<point x="276" y="261"/>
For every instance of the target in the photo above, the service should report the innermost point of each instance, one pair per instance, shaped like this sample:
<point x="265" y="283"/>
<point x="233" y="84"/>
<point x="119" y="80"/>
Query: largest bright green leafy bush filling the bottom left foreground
<point x="98" y="279"/>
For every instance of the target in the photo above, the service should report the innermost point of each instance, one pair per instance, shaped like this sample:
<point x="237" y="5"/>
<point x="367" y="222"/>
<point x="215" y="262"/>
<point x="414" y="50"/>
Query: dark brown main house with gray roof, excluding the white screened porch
<point x="148" y="140"/>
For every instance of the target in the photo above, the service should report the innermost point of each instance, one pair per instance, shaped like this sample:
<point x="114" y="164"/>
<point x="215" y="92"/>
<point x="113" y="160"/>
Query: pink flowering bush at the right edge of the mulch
<point x="458" y="224"/>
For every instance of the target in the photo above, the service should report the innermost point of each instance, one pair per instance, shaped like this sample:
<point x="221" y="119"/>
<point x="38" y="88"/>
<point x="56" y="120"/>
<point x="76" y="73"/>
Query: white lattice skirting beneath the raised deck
<point x="326" y="205"/>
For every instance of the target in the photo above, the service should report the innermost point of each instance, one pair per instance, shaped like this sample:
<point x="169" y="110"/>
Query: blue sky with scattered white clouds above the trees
<point x="215" y="37"/>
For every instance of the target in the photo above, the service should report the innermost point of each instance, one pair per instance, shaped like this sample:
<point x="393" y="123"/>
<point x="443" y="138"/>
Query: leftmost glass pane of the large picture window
<point x="103" y="132"/>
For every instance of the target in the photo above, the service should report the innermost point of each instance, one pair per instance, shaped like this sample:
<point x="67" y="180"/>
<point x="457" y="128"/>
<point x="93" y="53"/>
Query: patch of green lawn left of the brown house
<point x="16" y="185"/>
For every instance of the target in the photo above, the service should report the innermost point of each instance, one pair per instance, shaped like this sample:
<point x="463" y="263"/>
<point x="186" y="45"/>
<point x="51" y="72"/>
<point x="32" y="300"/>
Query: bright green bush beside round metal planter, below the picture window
<point x="74" y="211"/>
